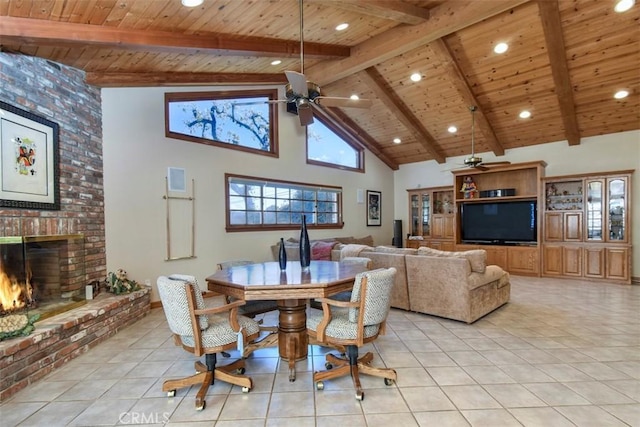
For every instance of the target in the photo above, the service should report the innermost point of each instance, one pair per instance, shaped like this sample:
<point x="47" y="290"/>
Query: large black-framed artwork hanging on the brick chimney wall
<point x="29" y="174"/>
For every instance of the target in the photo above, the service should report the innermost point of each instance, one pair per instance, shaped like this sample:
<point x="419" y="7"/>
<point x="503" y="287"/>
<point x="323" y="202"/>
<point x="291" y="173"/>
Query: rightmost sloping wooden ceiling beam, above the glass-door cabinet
<point x="550" y="17"/>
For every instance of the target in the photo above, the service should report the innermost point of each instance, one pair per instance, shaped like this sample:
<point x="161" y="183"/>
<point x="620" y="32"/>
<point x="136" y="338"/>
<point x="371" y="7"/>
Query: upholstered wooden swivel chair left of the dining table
<point x="204" y="331"/>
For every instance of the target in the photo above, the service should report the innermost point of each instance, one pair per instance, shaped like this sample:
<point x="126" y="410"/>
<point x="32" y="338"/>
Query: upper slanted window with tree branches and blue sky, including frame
<point x="242" y="120"/>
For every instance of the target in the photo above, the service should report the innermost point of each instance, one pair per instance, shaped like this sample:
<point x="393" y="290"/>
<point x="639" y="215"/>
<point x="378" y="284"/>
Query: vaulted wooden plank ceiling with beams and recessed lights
<point x="565" y="61"/>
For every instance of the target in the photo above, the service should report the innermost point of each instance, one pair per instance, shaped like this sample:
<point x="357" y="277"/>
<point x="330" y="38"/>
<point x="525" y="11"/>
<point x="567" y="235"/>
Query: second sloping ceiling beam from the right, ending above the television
<point x="445" y="57"/>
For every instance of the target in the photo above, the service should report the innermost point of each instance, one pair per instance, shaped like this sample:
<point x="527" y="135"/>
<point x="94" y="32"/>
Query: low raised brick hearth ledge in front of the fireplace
<point x="59" y="339"/>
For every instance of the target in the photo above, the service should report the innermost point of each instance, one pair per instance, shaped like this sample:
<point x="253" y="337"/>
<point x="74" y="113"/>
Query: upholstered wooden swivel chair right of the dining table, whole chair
<point x="362" y="322"/>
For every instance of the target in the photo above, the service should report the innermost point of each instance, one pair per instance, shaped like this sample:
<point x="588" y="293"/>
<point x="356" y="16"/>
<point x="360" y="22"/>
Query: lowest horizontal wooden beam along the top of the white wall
<point x="115" y="79"/>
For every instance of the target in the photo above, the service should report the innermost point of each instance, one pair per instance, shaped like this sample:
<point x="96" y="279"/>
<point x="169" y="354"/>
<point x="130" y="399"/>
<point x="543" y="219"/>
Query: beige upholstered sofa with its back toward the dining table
<point x="453" y="285"/>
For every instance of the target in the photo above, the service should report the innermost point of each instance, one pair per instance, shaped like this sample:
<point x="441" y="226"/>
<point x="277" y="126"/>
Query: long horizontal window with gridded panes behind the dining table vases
<point x="257" y="204"/>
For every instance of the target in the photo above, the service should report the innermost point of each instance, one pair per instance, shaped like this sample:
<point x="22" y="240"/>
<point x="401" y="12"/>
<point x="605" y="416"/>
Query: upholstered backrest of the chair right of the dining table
<point x="377" y="298"/>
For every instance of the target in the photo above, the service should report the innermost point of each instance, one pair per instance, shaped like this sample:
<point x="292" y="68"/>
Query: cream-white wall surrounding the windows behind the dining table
<point x="137" y="155"/>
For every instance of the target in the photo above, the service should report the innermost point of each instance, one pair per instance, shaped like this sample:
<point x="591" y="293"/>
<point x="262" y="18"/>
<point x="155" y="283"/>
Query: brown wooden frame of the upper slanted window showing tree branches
<point x="271" y="94"/>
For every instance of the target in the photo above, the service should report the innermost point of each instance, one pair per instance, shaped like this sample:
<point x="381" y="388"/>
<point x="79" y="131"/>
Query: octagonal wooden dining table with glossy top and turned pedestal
<point x="291" y="288"/>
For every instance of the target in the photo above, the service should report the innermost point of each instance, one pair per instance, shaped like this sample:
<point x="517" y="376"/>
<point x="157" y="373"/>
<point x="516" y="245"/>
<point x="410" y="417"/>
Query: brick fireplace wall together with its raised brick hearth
<point x="59" y="93"/>
